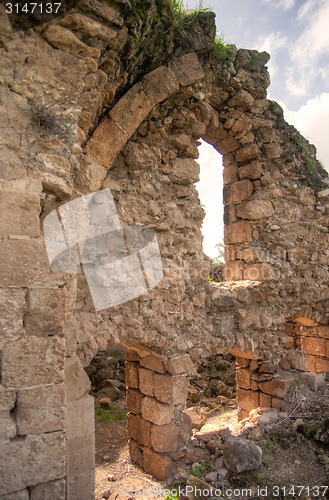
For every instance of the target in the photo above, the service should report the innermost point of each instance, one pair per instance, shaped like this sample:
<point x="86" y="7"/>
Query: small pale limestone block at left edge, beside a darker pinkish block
<point x="12" y="312"/>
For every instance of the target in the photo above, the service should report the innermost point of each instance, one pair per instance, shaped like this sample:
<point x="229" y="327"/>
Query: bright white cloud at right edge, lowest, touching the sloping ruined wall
<point x="312" y="121"/>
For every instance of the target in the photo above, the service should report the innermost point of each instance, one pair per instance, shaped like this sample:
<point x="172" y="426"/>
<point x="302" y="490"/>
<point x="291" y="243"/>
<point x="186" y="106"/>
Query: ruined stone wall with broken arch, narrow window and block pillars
<point x="114" y="96"/>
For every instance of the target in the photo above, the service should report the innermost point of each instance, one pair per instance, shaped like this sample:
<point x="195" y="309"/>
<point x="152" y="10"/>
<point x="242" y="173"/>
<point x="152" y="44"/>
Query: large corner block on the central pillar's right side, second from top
<point x="171" y="390"/>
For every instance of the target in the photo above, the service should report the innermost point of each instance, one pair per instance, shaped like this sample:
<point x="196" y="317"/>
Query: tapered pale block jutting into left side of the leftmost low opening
<point x="77" y="383"/>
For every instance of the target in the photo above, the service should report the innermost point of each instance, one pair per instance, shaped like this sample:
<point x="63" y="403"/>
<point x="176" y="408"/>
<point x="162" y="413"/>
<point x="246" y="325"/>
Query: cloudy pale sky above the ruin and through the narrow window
<point x="296" y="34"/>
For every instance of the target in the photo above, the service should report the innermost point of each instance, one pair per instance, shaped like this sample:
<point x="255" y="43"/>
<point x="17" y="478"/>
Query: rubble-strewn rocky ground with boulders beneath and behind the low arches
<point x="286" y="450"/>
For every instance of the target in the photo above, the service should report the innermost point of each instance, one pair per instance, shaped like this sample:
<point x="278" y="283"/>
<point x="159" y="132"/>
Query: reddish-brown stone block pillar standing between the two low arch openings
<point x="156" y="395"/>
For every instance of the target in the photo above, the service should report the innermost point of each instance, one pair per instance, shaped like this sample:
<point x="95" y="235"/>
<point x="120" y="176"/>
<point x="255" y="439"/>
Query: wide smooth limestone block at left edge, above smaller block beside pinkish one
<point x="24" y="263"/>
